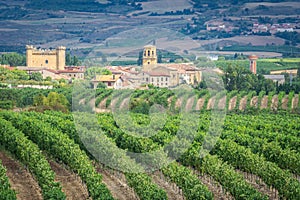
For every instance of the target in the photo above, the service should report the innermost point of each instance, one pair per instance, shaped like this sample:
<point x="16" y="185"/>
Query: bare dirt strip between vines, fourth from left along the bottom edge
<point x="171" y="189"/>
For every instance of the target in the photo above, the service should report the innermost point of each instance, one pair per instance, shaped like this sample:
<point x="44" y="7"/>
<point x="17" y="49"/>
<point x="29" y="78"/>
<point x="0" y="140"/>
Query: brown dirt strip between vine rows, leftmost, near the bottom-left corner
<point x="21" y="180"/>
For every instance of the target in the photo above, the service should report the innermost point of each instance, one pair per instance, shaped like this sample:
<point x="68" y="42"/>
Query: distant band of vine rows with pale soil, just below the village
<point x="197" y="100"/>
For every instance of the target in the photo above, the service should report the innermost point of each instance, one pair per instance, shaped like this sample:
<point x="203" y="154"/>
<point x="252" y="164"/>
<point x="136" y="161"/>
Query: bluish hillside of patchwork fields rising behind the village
<point x="84" y="25"/>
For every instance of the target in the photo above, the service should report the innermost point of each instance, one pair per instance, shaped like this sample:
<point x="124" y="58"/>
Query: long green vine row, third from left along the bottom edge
<point x="63" y="148"/>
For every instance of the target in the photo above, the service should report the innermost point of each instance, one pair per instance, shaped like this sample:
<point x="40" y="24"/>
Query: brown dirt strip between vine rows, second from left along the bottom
<point x="71" y="184"/>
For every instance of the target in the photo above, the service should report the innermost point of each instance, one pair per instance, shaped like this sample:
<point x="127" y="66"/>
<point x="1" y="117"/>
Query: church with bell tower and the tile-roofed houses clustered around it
<point x="163" y="75"/>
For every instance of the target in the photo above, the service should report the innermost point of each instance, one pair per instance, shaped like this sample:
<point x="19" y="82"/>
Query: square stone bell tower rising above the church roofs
<point x="149" y="58"/>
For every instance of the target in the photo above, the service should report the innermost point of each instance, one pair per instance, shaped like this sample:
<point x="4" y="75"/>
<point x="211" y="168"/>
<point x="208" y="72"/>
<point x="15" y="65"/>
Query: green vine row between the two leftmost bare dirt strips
<point x="29" y="154"/>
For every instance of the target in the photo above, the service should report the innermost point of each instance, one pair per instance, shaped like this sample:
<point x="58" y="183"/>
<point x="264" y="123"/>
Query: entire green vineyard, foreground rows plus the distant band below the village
<point x="254" y="155"/>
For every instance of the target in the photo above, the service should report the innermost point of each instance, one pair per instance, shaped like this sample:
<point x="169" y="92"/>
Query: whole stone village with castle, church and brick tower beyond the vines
<point x="51" y="64"/>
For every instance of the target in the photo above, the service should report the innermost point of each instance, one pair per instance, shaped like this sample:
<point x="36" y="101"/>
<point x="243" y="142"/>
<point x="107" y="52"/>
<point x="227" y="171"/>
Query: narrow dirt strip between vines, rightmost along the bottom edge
<point x="258" y="184"/>
